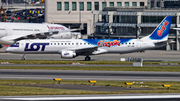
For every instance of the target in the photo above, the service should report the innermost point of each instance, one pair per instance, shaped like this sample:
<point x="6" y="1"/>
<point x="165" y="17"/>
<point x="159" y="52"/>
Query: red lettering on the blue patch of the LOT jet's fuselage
<point x="109" y="44"/>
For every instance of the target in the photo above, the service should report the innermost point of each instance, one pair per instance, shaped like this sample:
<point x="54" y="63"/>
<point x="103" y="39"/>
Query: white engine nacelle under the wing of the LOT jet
<point x="68" y="54"/>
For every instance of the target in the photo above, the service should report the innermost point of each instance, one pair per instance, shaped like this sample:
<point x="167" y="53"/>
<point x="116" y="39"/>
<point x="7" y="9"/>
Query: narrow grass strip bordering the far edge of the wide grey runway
<point x="99" y="68"/>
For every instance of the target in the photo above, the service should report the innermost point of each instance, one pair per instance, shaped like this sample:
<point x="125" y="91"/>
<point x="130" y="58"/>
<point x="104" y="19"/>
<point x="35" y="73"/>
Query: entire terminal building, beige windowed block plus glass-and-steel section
<point x="114" y="18"/>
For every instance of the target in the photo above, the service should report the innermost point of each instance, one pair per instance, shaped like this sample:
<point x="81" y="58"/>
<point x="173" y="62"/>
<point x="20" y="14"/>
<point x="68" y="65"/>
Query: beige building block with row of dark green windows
<point x="74" y="12"/>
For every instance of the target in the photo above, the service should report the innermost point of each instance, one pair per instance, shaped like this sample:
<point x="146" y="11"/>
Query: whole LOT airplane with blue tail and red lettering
<point x="71" y="48"/>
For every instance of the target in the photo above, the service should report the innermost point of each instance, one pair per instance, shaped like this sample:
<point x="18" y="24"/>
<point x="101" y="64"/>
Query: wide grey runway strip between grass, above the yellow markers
<point x="89" y="75"/>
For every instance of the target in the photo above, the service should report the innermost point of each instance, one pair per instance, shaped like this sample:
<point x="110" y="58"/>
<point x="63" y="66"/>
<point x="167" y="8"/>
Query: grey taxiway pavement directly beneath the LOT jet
<point x="149" y="55"/>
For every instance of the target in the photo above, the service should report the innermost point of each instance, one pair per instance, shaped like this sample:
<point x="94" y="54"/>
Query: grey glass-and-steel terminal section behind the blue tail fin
<point x="134" y="23"/>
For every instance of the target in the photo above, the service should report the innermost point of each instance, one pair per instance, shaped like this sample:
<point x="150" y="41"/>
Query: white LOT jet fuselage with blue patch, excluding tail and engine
<point x="56" y="46"/>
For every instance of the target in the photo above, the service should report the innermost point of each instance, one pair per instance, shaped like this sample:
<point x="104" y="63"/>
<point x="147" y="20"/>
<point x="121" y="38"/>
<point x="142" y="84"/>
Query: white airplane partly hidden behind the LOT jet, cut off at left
<point x="12" y="32"/>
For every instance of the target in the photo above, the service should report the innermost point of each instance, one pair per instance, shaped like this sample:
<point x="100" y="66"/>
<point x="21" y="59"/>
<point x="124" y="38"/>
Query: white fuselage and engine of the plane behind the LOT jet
<point x="11" y="29"/>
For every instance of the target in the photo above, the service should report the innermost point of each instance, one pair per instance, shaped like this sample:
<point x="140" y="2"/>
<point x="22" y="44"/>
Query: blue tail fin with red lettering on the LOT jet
<point x="162" y="30"/>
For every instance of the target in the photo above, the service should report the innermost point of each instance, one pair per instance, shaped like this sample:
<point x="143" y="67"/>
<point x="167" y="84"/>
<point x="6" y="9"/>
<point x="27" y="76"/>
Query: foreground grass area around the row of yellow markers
<point x="8" y="87"/>
